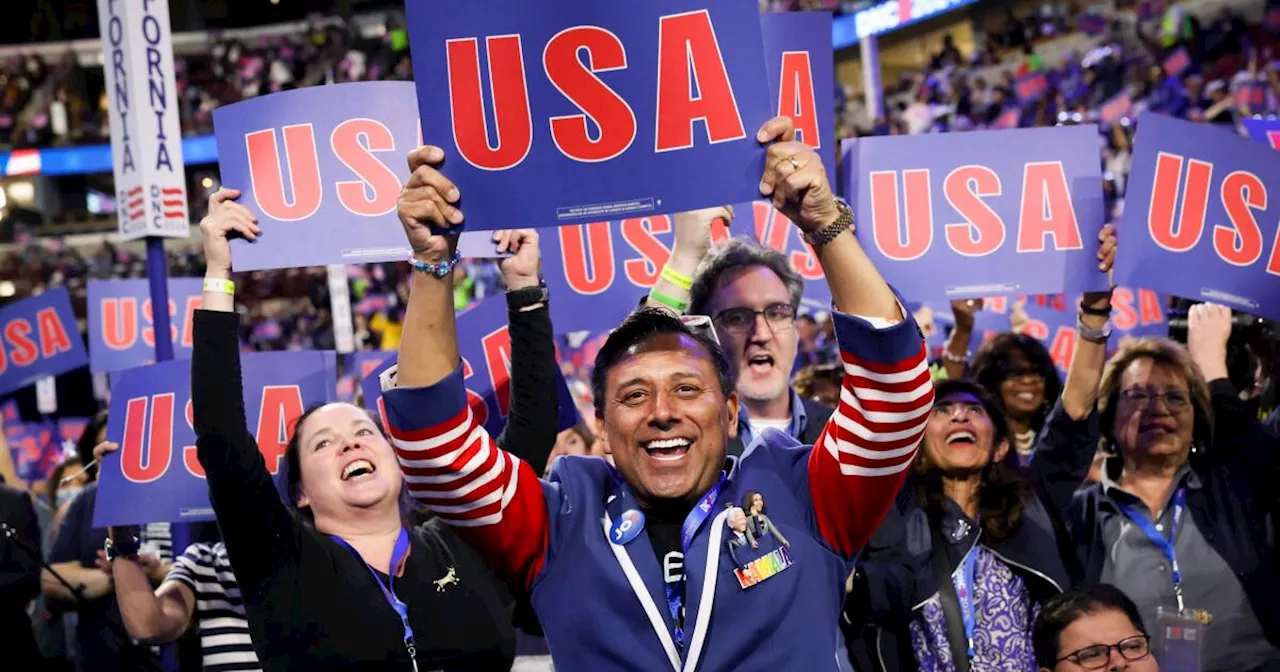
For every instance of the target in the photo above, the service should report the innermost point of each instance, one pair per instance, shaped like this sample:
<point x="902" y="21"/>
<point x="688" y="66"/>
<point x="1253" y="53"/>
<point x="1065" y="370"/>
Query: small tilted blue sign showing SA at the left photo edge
<point x="39" y="337"/>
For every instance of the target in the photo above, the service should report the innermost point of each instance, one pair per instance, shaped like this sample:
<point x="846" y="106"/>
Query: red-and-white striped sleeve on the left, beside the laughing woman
<point x="452" y="467"/>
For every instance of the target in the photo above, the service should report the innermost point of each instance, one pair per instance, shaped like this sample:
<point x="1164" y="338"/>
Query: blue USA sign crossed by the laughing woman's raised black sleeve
<point x="157" y="476"/>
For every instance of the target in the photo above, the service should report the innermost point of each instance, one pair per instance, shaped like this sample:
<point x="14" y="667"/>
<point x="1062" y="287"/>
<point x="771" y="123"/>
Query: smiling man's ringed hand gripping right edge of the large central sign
<point x="796" y="179"/>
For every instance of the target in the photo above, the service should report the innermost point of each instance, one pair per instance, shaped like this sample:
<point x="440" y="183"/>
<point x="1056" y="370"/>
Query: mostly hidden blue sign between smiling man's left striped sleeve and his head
<point x="484" y="344"/>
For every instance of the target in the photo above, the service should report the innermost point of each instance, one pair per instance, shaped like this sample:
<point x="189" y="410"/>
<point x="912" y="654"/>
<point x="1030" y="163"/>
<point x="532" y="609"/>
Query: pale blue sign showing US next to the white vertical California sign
<point x="323" y="168"/>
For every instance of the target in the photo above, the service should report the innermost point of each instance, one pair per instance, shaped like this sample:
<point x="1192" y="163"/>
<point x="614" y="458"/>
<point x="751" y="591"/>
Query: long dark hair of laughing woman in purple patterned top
<point x="1004" y="486"/>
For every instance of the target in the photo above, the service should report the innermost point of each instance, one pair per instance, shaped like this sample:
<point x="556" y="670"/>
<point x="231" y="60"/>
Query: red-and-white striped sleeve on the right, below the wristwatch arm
<point x="865" y="454"/>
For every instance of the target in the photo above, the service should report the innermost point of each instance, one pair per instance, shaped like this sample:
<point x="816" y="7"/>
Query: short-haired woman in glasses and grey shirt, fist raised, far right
<point x="1178" y="520"/>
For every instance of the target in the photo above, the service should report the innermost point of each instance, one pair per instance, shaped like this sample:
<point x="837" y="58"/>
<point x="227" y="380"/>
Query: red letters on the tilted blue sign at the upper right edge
<point x="1181" y="194"/>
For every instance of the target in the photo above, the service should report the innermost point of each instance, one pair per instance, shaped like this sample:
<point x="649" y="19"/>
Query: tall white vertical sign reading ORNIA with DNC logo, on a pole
<point x="143" y="104"/>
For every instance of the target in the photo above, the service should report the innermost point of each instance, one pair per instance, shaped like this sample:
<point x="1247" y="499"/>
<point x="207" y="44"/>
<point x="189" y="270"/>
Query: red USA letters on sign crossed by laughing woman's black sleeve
<point x="148" y="449"/>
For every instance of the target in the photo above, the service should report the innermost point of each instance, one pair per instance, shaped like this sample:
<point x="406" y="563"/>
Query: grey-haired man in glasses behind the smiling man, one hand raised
<point x="752" y="295"/>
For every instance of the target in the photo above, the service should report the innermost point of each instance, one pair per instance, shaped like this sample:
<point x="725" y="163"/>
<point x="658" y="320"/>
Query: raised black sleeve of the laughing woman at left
<point x="257" y="528"/>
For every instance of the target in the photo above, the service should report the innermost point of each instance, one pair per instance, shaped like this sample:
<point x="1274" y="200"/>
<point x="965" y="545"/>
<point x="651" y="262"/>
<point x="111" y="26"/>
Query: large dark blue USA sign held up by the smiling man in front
<point x="574" y="111"/>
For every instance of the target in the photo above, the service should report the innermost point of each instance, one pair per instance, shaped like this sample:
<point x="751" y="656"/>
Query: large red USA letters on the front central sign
<point x="689" y="58"/>
